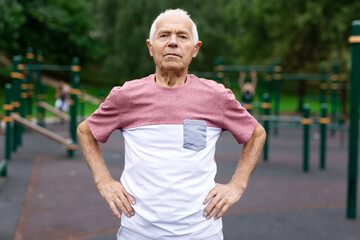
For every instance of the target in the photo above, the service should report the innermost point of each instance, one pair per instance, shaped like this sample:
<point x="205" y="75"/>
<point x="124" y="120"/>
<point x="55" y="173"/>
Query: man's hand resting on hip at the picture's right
<point x="220" y="199"/>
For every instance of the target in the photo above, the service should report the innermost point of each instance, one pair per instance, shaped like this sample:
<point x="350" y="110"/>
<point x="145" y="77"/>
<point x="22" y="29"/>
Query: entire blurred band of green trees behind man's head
<point x="109" y="35"/>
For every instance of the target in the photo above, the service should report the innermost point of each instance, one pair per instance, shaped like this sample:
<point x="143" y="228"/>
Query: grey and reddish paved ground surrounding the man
<point x="49" y="196"/>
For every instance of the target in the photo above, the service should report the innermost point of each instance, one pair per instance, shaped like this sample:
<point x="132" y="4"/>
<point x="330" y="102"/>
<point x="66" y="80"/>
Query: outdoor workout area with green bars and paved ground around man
<point x="305" y="186"/>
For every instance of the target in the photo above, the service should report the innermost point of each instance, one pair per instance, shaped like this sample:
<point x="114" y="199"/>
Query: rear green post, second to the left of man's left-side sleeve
<point x="40" y="96"/>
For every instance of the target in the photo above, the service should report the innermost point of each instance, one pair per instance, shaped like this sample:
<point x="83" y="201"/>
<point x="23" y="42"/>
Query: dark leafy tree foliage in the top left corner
<point x="62" y="29"/>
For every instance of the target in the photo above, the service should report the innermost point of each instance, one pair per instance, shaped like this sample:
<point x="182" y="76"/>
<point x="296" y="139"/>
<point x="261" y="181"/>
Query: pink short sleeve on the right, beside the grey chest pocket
<point x="236" y="119"/>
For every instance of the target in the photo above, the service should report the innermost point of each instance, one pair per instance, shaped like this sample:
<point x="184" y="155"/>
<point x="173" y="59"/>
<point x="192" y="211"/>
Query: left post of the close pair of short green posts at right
<point x="306" y="121"/>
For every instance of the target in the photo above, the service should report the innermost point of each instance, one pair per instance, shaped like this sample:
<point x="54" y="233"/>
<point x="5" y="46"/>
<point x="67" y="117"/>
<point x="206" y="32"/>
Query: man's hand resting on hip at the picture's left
<point x="116" y="196"/>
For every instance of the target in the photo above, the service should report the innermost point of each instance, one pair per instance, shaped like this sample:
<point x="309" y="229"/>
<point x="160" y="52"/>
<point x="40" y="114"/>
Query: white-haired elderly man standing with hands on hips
<point x="171" y="121"/>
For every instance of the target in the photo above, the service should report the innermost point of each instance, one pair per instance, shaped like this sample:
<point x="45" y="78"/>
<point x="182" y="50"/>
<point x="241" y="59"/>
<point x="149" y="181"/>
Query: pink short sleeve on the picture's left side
<point x="107" y="117"/>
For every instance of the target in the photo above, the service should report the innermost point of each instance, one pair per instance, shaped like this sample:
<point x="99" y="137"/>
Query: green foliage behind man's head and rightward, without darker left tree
<point x="302" y="33"/>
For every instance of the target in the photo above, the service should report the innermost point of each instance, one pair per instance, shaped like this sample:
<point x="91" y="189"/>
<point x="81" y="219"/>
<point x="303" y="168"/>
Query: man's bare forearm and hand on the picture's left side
<point x="112" y="191"/>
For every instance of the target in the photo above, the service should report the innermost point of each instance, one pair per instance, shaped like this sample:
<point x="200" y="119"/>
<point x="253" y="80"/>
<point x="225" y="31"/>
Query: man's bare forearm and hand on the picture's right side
<point x="223" y="196"/>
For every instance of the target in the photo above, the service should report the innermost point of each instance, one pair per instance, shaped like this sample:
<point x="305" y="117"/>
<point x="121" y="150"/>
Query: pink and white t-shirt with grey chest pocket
<point x="170" y="136"/>
